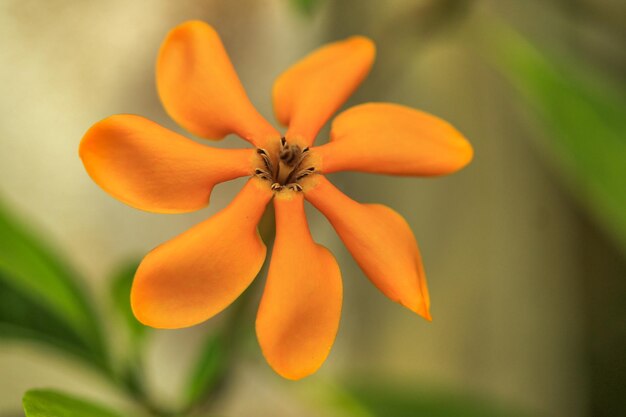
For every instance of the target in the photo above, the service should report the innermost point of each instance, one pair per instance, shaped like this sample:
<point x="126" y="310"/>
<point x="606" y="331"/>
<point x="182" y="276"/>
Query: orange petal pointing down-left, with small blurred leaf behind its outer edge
<point x="197" y="274"/>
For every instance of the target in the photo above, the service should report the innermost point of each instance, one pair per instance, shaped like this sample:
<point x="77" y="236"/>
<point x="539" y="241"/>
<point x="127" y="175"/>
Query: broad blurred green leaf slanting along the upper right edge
<point x="585" y="118"/>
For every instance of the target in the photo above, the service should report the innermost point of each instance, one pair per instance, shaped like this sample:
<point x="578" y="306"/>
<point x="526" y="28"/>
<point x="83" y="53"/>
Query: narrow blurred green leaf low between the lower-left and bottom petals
<point x="208" y="370"/>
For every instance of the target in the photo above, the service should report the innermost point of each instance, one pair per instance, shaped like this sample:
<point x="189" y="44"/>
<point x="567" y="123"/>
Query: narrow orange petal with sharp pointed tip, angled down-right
<point x="380" y="241"/>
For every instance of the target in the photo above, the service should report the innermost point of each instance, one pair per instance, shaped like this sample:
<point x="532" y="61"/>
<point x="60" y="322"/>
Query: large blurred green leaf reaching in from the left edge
<point x="40" y="280"/>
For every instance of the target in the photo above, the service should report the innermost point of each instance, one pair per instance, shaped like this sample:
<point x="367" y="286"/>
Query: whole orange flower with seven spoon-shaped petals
<point x="199" y="273"/>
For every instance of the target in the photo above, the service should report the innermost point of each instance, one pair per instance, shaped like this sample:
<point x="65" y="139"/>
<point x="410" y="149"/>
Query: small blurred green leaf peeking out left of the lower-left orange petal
<point x="121" y="283"/>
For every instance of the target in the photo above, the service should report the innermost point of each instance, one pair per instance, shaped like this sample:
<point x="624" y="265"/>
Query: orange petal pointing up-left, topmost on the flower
<point x="200" y="89"/>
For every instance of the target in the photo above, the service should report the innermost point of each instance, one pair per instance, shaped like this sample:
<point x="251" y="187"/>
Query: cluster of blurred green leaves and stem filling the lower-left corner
<point x="41" y="300"/>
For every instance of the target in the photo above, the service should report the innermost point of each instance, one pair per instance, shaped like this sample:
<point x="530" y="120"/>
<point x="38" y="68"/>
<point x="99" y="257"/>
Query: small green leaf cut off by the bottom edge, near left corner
<point x="48" y="403"/>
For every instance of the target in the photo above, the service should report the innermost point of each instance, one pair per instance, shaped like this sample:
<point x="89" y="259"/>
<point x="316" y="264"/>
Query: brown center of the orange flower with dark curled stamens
<point x="286" y="167"/>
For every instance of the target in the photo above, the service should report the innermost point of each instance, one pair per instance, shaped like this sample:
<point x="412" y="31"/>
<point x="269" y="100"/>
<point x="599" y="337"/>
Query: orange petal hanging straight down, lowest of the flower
<point x="299" y="313"/>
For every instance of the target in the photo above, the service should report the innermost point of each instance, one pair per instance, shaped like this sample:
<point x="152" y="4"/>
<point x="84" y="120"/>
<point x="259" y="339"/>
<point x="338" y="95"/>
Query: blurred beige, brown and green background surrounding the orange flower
<point x="525" y="249"/>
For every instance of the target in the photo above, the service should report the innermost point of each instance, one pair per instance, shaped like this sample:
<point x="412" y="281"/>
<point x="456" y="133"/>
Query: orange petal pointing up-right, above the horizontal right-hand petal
<point x="308" y="93"/>
